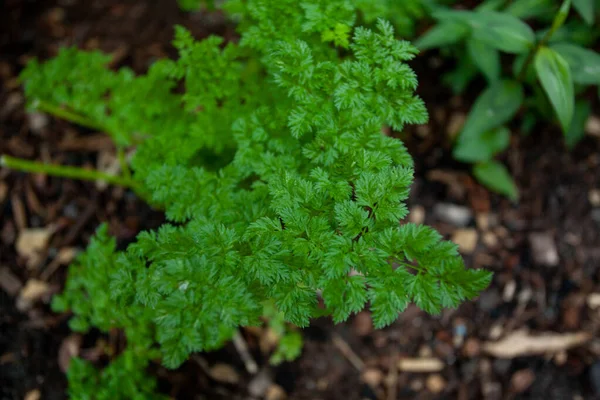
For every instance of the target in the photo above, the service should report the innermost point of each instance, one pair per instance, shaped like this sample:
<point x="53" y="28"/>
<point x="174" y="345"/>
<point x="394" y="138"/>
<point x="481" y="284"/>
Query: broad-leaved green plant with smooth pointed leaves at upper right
<point x="550" y="68"/>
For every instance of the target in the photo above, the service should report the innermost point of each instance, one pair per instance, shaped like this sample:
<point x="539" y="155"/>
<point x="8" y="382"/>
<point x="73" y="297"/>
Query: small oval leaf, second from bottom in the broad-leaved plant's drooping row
<point x="483" y="147"/>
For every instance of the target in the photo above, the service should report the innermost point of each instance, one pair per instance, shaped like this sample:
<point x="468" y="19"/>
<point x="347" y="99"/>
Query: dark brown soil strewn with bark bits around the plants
<point x="557" y="202"/>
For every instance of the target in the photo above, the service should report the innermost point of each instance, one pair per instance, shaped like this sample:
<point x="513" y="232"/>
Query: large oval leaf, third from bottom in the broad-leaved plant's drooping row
<point x="495" y="106"/>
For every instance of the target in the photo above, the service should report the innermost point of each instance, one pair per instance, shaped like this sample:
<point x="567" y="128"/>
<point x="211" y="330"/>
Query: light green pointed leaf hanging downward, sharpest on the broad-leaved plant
<point x="555" y="76"/>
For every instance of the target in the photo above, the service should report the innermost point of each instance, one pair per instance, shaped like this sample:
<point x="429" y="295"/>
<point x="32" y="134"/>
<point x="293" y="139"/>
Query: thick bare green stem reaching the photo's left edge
<point x="65" y="171"/>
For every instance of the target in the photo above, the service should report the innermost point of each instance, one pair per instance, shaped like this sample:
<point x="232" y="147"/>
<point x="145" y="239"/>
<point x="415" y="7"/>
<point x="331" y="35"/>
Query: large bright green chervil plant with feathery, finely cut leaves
<point x="284" y="197"/>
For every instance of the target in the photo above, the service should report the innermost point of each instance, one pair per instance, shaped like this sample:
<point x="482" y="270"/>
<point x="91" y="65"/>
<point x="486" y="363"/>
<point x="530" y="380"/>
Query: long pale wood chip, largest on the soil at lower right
<point x="521" y="343"/>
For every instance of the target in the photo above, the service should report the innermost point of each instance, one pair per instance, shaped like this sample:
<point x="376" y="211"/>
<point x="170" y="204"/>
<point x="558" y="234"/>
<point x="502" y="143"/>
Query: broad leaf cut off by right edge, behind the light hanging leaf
<point x="584" y="63"/>
